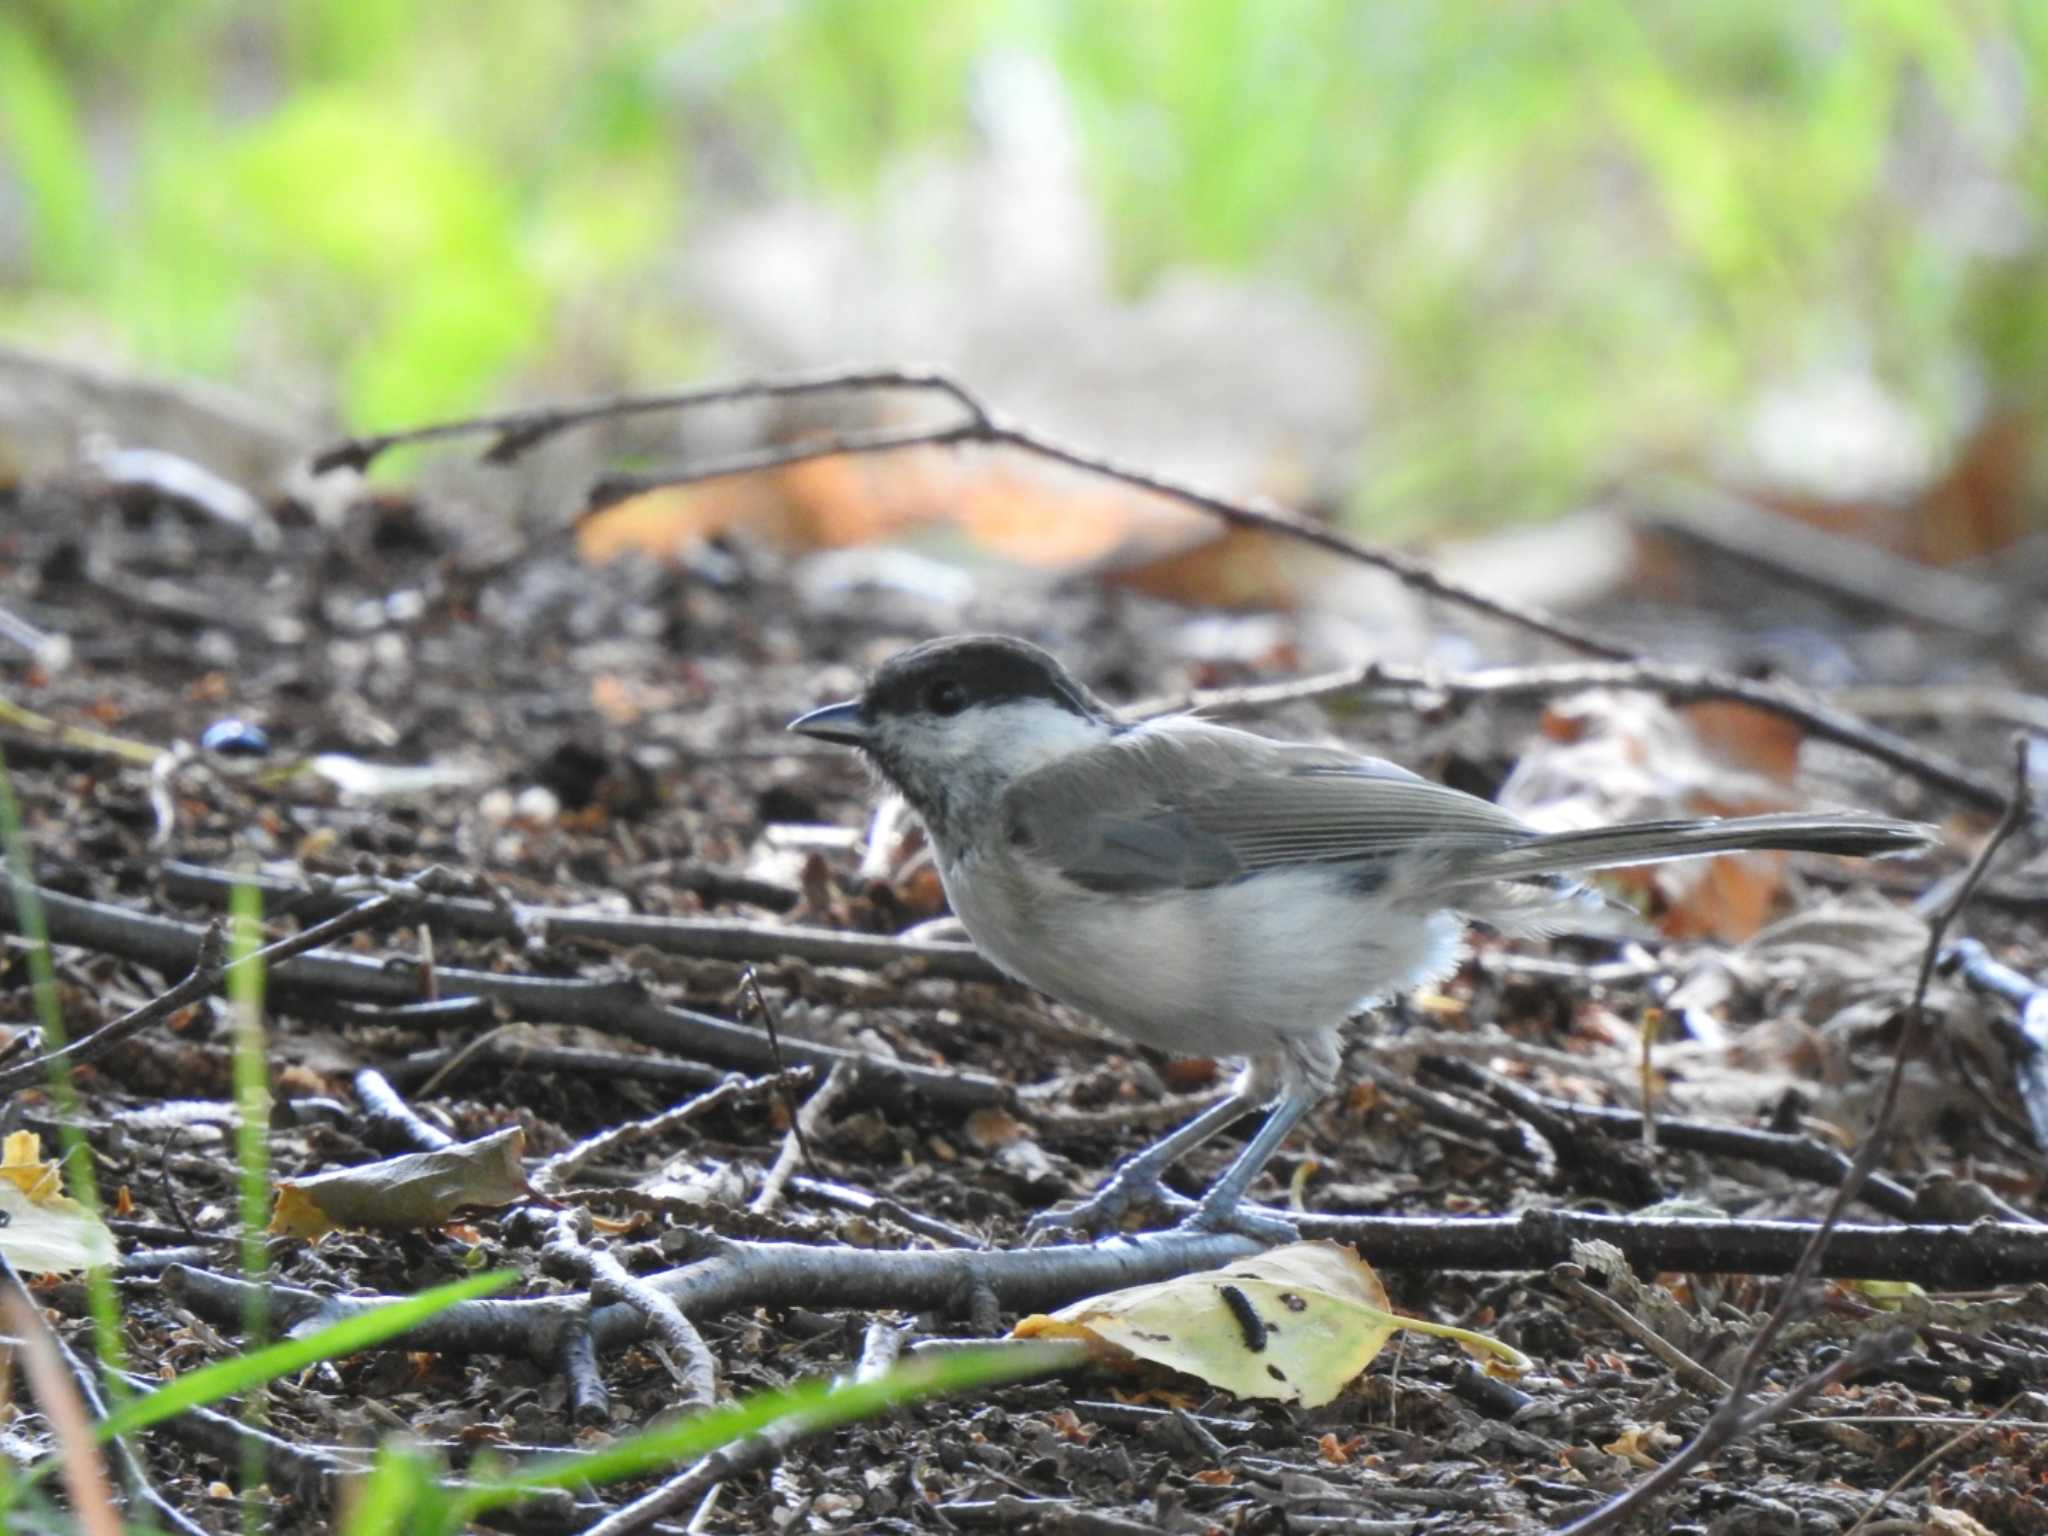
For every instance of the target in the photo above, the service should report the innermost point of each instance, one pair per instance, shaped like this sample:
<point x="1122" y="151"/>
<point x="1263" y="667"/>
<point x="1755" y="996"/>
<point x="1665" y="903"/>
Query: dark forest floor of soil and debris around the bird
<point x="609" y="742"/>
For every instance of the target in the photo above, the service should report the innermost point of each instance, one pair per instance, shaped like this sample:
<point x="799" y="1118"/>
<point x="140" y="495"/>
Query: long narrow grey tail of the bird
<point x="1656" y="843"/>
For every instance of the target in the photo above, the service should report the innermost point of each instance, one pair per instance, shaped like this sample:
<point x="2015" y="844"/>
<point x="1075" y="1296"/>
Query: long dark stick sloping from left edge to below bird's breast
<point x="617" y="1007"/>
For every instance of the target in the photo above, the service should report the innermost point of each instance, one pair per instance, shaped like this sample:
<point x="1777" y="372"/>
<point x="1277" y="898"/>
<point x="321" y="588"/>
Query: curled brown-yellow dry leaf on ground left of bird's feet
<point x="404" y="1193"/>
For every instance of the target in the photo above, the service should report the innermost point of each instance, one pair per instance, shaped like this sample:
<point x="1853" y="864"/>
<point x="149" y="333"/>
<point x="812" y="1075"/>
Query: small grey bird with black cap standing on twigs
<point x="1213" y="892"/>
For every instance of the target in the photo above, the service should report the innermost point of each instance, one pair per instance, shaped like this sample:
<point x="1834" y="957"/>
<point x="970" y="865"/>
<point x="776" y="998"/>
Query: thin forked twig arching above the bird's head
<point x="978" y="427"/>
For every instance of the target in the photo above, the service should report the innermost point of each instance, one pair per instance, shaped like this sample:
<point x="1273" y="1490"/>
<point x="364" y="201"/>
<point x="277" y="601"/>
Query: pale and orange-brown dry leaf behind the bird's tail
<point x="1627" y="757"/>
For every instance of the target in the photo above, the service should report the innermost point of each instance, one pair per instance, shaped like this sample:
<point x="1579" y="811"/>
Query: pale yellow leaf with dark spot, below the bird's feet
<point x="1293" y="1324"/>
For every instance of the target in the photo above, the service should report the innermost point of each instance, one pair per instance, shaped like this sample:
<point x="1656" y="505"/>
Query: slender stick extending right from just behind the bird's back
<point x="1680" y="685"/>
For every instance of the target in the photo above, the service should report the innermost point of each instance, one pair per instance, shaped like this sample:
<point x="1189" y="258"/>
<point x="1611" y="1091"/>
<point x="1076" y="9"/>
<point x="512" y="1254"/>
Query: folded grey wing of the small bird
<point x="1185" y="804"/>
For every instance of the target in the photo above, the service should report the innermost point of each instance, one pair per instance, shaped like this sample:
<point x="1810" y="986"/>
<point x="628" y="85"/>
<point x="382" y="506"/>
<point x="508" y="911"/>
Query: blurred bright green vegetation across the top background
<point x="1570" y="241"/>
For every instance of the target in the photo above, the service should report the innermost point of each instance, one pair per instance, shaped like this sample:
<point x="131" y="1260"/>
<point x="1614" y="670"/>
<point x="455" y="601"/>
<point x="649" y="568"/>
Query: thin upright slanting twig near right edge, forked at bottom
<point x="1736" y="1416"/>
